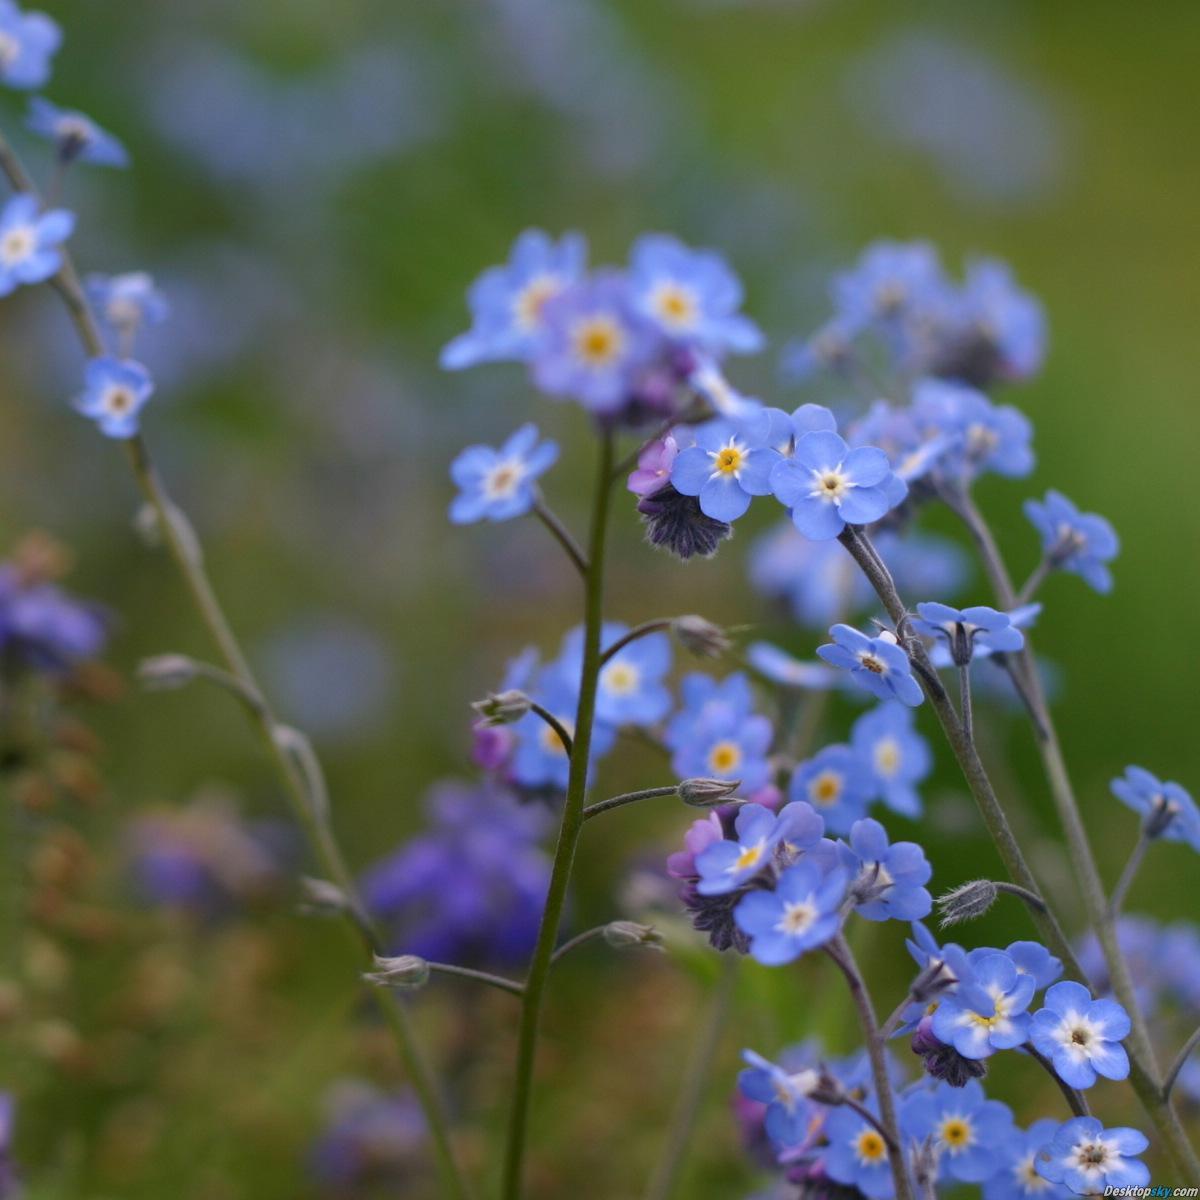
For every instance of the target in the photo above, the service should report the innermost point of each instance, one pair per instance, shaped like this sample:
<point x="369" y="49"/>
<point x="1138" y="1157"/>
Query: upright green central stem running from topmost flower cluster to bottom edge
<point x="569" y="830"/>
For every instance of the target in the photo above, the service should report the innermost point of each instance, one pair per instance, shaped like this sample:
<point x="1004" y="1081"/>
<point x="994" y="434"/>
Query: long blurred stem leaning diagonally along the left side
<point x="184" y="550"/>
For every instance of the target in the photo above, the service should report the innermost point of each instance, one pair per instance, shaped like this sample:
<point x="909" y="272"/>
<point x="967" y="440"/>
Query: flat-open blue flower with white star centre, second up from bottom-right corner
<point x="1082" y="1036"/>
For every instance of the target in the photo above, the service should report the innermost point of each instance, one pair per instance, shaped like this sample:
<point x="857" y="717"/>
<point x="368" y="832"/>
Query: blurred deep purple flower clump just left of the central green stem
<point x="471" y="889"/>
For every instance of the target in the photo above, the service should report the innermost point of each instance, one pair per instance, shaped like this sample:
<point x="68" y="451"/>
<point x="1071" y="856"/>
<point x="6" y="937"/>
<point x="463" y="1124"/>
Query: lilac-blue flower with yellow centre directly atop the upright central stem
<point x="595" y="344"/>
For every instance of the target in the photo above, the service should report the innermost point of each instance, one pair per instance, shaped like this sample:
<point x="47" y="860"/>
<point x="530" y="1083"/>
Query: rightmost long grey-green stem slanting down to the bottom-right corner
<point x="1144" y="1067"/>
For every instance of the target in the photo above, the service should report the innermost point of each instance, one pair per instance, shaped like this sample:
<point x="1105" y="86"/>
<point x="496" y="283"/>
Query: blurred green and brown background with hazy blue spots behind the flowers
<point x="315" y="185"/>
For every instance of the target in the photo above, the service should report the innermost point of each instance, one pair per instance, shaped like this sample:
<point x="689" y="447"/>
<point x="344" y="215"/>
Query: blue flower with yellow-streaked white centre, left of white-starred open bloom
<point x="988" y="1013"/>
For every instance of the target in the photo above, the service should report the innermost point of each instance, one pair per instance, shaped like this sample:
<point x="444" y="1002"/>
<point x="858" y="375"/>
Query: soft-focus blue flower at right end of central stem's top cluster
<point x="692" y="296"/>
